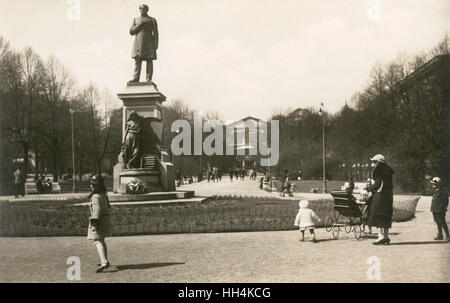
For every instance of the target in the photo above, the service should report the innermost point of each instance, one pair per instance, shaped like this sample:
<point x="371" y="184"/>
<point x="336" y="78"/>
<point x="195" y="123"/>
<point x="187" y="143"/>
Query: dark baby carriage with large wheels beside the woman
<point x="348" y="215"/>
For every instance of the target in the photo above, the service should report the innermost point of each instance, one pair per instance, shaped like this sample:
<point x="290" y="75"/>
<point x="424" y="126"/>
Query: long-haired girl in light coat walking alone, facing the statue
<point x="100" y="220"/>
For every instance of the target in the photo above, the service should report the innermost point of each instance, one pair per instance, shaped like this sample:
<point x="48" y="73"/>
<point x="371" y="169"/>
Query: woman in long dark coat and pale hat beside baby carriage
<point x="383" y="199"/>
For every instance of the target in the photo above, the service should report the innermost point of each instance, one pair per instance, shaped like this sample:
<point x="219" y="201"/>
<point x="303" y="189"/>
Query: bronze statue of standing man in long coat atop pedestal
<point x="145" y="45"/>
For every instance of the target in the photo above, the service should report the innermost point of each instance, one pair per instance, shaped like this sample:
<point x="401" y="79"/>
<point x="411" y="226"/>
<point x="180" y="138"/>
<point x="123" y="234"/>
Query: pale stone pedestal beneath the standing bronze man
<point x="145" y="99"/>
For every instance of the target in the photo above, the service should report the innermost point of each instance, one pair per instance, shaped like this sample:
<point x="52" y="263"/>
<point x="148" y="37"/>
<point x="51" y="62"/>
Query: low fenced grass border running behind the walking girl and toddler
<point x="217" y="214"/>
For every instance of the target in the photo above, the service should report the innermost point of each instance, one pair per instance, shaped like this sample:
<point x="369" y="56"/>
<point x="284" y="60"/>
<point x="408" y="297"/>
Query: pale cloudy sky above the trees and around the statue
<point x="236" y="57"/>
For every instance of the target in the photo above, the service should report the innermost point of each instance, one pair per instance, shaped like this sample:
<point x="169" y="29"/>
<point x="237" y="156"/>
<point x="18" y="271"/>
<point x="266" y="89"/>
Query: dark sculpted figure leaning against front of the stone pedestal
<point x="131" y="148"/>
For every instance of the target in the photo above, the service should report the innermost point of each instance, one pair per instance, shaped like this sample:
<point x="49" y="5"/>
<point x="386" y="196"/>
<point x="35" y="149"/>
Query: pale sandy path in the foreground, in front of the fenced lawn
<point x="275" y="256"/>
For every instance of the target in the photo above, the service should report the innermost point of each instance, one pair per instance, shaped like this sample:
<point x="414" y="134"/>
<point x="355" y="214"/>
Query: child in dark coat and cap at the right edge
<point x="439" y="205"/>
